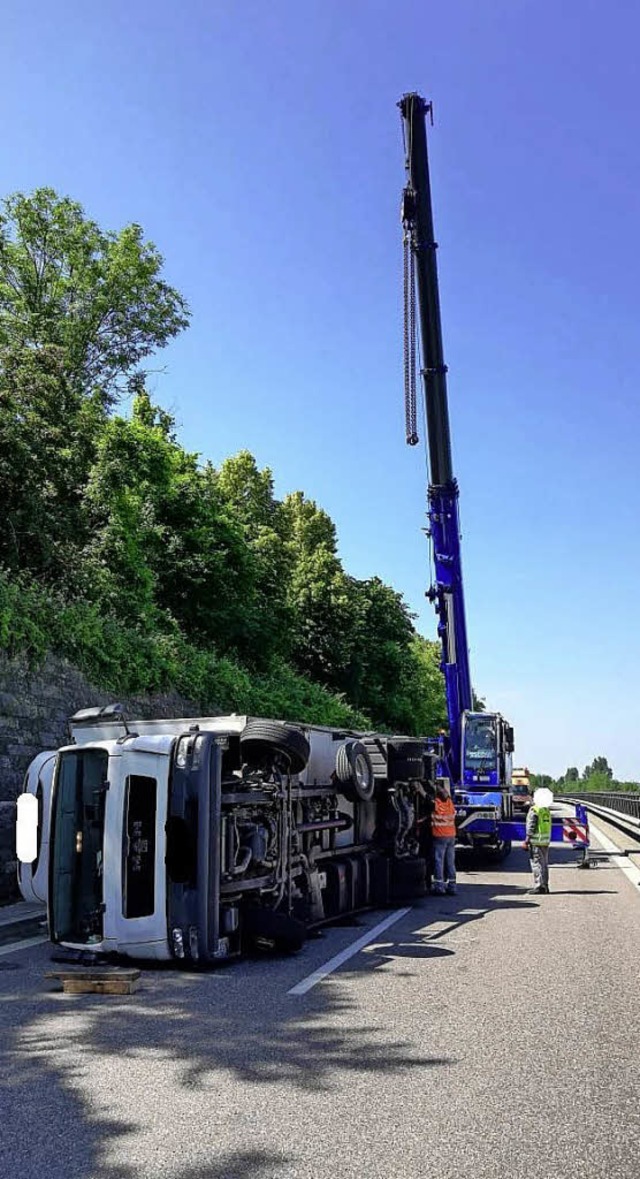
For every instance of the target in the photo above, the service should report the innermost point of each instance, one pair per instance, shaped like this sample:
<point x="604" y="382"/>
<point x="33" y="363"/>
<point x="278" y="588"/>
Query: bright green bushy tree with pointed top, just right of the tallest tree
<point x="162" y="538"/>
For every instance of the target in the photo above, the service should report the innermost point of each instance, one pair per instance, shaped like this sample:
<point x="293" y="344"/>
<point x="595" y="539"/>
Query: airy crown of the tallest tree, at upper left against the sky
<point x="97" y="297"/>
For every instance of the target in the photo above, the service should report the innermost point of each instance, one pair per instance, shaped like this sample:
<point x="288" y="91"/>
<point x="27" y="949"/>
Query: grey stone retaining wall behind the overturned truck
<point x="35" y="709"/>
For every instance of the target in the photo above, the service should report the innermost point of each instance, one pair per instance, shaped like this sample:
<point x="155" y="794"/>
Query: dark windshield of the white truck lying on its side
<point x="78" y="821"/>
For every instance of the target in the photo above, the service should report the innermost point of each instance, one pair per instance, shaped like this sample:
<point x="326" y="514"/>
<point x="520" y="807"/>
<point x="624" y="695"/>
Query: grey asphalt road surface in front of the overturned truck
<point x="491" y="1036"/>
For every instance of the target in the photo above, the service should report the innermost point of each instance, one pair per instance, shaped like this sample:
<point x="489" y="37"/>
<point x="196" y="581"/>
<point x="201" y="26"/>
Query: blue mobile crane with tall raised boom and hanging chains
<point x="477" y="754"/>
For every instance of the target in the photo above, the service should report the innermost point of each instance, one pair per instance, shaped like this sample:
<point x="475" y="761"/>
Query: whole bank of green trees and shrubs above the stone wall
<point x="146" y="567"/>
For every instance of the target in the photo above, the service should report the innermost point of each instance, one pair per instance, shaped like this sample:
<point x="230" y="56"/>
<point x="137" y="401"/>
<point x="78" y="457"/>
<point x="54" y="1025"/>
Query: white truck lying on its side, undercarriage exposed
<point x="196" y="840"/>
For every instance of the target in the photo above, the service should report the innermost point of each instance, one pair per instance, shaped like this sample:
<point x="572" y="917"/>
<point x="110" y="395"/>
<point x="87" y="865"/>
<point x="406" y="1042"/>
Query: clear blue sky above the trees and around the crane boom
<point x="260" y="147"/>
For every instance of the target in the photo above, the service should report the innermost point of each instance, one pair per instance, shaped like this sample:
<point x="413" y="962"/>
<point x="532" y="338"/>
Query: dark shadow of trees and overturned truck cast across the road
<point x="76" y="1070"/>
